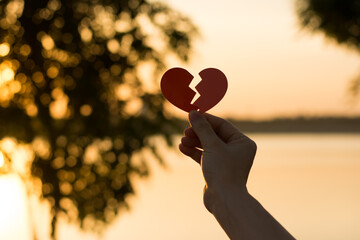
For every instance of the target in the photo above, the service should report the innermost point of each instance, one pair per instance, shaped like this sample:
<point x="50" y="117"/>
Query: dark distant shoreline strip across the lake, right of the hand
<point x="300" y="125"/>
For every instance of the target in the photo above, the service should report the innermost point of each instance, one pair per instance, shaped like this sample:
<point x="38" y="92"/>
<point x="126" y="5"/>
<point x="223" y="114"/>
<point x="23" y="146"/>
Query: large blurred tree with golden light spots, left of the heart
<point x="73" y="84"/>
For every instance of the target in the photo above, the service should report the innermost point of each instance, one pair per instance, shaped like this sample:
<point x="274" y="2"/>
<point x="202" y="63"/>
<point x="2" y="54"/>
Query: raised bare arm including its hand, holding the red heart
<point x="226" y="156"/>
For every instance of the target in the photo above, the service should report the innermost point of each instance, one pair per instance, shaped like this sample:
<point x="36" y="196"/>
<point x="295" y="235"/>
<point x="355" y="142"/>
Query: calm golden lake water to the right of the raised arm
<point x="311" y="183"/>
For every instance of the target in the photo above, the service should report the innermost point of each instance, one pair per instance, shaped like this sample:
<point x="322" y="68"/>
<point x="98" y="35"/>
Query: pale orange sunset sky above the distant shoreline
<point x="274" y="68"/>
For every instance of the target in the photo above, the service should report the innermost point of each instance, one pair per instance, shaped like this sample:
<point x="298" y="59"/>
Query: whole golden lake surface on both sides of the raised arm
<point x="309" y="182"/>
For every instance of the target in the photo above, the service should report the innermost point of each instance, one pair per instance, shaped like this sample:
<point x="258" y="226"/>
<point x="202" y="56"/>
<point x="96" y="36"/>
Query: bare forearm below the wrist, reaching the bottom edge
<point x="243" y="217"/>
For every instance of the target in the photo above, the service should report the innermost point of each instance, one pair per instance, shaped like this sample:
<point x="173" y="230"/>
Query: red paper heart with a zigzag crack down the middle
<point x="212" y="88"/>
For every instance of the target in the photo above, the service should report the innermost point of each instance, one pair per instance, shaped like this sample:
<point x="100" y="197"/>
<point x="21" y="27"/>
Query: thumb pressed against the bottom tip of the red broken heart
<point x="203" y="130"/>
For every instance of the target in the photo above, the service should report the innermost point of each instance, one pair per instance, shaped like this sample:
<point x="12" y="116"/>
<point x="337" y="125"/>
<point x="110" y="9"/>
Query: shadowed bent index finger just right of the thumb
<point x="224" y="129"/>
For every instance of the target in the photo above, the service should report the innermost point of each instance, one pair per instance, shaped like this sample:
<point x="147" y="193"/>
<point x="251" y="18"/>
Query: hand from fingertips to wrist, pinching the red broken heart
<point x="225" y="154"/>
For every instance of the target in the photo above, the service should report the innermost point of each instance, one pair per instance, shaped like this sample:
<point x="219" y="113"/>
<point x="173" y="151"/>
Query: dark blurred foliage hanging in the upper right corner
<point x="338" y="20"/>
